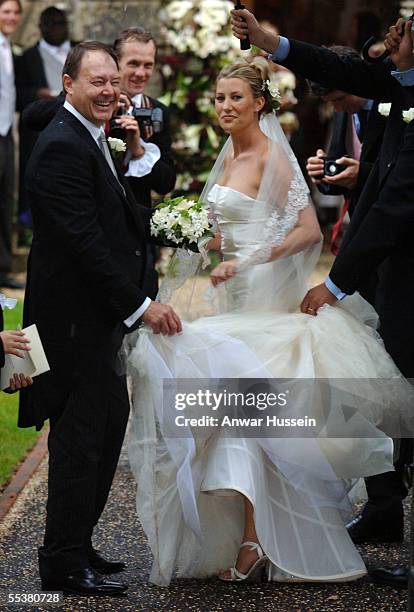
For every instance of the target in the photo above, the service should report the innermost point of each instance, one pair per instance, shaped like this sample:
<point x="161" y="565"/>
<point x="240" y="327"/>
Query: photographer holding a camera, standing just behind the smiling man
<point x="149" y="163"/>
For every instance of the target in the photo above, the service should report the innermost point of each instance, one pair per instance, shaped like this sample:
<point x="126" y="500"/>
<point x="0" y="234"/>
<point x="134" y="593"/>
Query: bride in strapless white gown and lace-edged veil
<point x="254" y="503"/>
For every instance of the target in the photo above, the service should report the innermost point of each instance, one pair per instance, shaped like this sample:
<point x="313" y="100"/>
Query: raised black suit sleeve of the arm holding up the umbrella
<point x="372" y="81"/>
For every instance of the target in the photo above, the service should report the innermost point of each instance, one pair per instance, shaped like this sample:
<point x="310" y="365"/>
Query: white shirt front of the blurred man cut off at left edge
<point x="7" y="86"/>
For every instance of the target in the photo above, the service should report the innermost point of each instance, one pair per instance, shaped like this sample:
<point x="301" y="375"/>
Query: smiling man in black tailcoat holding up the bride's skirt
<point x="85" y="274"/>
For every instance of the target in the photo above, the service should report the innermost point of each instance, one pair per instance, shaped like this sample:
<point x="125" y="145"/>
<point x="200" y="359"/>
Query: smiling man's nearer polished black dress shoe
<point x="84" y="582"/>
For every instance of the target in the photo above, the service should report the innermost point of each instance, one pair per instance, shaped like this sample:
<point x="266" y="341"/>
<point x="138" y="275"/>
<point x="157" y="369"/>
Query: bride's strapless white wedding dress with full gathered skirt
<point x="189" y="489"/>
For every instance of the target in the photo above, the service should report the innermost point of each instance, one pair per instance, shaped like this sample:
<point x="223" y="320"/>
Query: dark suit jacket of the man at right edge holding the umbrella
<point x="383" y="221"/>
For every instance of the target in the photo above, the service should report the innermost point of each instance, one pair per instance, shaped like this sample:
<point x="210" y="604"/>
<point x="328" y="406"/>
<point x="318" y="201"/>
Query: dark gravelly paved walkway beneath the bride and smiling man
<point x="120" y="536"/>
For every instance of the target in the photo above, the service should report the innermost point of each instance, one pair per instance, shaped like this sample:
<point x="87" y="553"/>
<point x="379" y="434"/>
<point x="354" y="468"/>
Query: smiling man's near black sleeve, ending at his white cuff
<point x="70" y="206"/>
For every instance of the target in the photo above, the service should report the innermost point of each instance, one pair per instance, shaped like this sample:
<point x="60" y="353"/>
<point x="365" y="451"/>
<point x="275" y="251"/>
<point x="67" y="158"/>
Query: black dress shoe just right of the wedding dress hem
<point x="365" y="529"/>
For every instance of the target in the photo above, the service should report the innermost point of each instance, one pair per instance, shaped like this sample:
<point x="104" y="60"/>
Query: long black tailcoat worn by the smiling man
<point x="87" y="258"/>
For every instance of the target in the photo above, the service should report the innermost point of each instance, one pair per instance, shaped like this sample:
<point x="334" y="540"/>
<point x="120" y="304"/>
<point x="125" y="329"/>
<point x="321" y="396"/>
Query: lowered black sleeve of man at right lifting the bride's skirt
<point x="385" y="227"/>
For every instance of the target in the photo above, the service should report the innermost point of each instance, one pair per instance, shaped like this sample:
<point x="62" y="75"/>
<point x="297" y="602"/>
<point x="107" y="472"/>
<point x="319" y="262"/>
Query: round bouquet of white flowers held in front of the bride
<point x="181" y="222"/>
